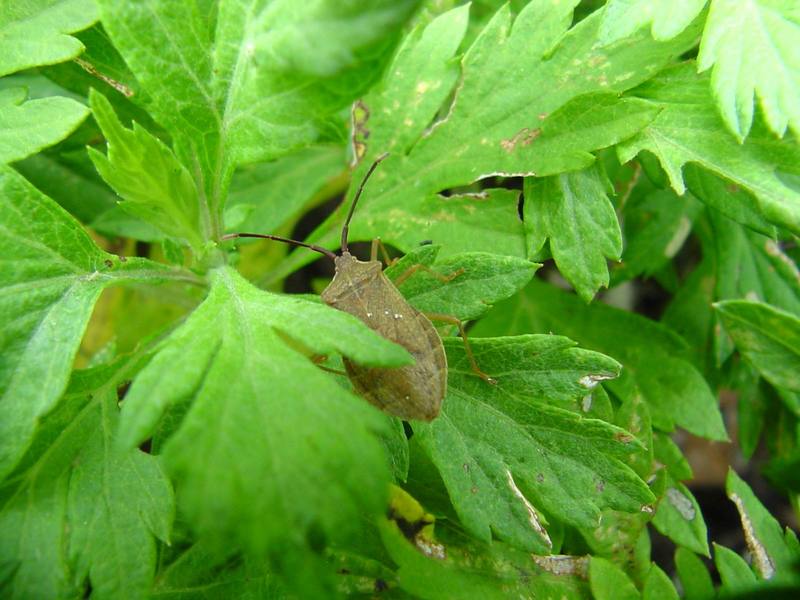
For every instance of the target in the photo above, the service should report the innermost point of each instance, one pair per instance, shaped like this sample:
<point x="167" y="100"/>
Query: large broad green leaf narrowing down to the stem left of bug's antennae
<point x="236" y="83"/>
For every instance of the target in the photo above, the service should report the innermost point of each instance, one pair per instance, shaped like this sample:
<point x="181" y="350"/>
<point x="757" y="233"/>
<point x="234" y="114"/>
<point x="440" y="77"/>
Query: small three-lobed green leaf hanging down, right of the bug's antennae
<point x="573" y="211"/>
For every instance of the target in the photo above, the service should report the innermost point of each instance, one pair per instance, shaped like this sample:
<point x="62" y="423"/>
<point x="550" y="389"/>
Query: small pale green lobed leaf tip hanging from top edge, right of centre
<point x="667" y="18"/>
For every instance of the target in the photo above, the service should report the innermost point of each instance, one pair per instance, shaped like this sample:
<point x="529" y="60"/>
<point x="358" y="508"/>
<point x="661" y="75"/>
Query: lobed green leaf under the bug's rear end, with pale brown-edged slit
<point x="505" y="455"/>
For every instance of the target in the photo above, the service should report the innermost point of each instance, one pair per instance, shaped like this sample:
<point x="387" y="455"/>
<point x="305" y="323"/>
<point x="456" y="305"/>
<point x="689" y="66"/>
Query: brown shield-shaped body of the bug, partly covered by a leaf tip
<point x="413" y="392"/>
